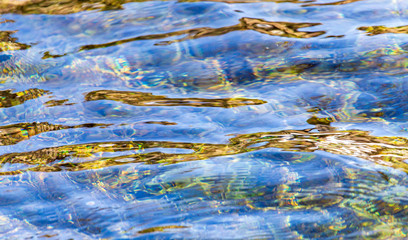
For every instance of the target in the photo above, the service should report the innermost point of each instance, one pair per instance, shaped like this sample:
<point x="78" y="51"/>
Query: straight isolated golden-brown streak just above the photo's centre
<point x="148" y="99"/>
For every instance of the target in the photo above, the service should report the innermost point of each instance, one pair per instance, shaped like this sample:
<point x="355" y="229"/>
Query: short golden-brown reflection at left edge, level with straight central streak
<point x="8" y="98"/>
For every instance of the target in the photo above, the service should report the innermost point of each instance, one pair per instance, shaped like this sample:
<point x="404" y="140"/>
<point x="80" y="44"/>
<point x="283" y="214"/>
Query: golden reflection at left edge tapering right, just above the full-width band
<point x="14" y="133"/>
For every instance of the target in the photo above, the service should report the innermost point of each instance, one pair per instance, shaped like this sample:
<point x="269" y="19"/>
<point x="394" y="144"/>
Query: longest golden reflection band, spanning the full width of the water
<point x="390" y="151"/>
